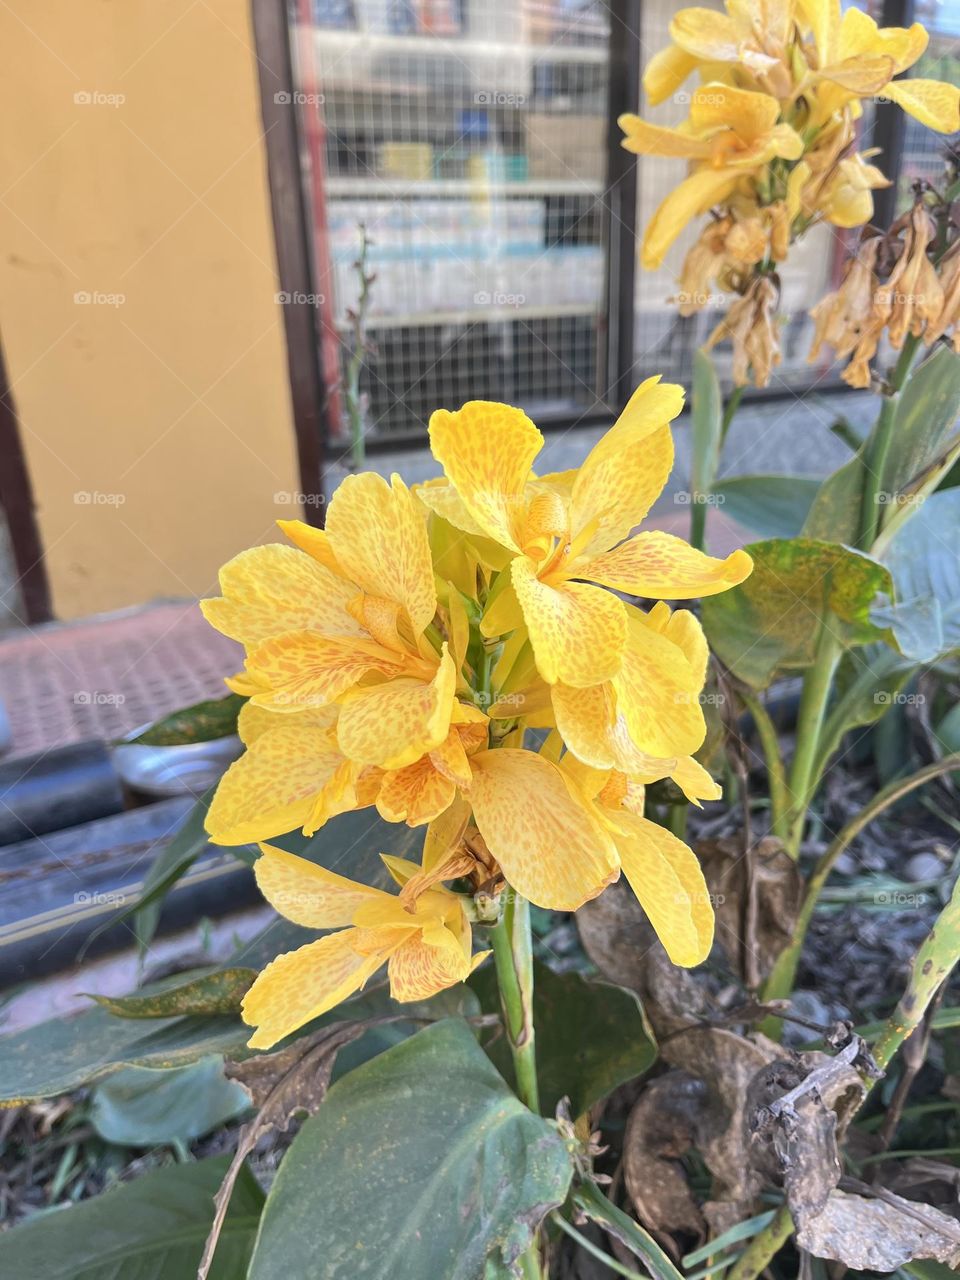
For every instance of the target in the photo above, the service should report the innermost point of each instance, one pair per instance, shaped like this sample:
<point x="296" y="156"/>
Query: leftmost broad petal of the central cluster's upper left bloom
<point x="268" y="591"/>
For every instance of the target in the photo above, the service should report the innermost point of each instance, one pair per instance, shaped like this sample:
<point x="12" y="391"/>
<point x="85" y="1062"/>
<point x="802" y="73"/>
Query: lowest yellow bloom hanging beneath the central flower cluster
<point x="427" y="945"/>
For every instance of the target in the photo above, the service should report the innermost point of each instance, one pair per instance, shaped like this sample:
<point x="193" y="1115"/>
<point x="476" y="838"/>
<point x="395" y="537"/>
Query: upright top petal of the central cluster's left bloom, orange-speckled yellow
<point x="378" y="534"/>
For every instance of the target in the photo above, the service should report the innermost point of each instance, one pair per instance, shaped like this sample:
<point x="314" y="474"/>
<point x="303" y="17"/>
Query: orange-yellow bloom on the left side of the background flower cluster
<point x="732" y="135"/>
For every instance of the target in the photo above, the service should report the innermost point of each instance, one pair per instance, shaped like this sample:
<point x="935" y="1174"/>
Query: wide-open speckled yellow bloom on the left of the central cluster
<point x="344" y="621"/>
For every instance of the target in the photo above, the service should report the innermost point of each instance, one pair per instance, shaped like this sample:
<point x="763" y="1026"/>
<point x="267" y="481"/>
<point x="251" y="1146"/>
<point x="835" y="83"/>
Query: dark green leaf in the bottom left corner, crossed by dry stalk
<point x="150" y="1229"/>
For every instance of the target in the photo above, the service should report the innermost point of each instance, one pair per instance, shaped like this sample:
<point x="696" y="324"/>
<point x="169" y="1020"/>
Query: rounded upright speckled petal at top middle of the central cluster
<point x="487" y="451"/>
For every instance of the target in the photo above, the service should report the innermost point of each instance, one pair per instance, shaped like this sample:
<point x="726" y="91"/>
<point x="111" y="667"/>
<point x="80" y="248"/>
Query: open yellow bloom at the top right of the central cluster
<point x="569" y="536"/>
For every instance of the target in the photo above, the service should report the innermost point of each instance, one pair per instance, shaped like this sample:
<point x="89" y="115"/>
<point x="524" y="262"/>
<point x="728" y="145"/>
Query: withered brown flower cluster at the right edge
<point x="899" y="284"/>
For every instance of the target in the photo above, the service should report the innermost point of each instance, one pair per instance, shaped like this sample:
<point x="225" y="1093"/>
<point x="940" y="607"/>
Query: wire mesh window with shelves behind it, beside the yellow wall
<point x="469" y="140"/>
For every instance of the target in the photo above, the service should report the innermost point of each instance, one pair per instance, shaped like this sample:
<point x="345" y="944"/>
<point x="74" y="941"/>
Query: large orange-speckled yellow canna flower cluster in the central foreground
<point x="397" y="659"/>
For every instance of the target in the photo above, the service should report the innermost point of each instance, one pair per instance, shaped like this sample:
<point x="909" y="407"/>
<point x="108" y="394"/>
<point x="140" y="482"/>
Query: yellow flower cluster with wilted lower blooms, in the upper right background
<point x="771" y="139"/>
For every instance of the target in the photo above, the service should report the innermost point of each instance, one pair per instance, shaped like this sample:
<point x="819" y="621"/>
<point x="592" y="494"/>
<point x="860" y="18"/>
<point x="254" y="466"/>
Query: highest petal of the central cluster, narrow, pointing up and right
<point x="627" y="470"/>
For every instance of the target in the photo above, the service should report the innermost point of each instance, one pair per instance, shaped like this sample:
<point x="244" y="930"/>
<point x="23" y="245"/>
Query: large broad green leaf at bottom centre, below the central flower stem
<point x="419" y="1164"/>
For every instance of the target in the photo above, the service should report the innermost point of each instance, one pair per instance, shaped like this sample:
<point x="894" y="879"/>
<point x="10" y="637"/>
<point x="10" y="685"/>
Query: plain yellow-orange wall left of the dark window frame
<point x="135" y="173"/>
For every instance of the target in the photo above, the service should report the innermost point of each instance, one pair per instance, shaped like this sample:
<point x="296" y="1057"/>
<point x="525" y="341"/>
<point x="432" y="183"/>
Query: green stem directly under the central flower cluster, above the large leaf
<point x="513" y="954"/>
